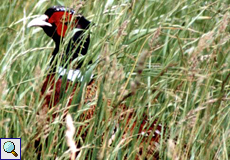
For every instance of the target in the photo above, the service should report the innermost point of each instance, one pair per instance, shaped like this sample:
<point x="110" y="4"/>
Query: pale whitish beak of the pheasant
<point x="40" y="21"/>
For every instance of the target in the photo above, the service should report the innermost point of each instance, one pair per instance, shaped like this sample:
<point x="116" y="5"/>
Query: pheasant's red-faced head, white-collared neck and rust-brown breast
<point x="55" y="23"/>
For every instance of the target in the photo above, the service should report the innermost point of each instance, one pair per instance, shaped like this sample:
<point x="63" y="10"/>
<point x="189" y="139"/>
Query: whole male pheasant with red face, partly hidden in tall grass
<point x="55" y="23"/>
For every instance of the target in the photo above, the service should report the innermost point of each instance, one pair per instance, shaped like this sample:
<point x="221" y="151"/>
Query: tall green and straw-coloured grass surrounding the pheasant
<point x="181" y="48"/>
